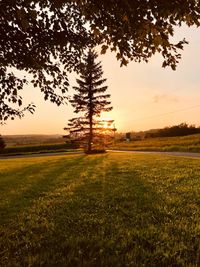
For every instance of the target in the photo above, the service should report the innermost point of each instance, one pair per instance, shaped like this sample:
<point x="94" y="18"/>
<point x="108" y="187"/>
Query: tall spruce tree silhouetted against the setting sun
<point x="89" y="100"/>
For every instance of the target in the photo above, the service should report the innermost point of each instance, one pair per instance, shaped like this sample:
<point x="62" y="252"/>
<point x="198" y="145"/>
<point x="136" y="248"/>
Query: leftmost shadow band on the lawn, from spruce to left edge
<point x="32" y="183"/>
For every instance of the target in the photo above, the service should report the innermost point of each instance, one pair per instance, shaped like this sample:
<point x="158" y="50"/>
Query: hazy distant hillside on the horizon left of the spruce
<point x="36" y="139"/>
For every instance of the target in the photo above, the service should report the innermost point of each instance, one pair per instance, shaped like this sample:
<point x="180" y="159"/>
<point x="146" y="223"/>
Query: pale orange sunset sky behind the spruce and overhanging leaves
<point x="144" y="95"/>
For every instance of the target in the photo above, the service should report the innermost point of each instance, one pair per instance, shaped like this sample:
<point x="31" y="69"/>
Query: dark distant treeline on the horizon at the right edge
<point x="177" y="130"/>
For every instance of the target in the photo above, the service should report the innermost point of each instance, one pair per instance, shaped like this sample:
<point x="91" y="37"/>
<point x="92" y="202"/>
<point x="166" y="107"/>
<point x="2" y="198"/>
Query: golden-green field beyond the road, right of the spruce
<point x="189" y="143"/>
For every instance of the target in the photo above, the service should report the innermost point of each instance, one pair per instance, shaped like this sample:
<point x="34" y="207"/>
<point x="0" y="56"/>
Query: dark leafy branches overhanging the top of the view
<point x="39" y="36"/>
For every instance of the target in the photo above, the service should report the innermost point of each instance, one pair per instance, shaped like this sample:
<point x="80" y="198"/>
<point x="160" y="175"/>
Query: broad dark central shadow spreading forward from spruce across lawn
<point x="107" y="221"/>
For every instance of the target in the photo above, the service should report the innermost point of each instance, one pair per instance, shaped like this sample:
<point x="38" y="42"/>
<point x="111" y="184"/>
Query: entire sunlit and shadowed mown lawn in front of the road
<point x="100" y="210"/>
